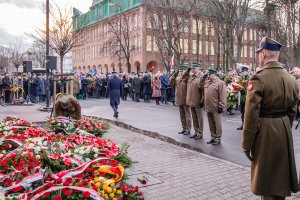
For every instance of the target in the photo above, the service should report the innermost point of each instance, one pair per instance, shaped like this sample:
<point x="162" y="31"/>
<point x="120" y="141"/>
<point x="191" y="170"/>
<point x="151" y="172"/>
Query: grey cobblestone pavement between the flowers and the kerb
<point x="184" y="174"/>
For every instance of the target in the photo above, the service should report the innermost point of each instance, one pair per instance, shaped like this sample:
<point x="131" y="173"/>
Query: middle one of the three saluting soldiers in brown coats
<point x="194" y="99"/>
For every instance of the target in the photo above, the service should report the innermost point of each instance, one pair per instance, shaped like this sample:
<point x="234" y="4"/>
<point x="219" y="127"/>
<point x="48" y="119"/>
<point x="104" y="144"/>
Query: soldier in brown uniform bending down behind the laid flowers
<point x="67" y="105"/>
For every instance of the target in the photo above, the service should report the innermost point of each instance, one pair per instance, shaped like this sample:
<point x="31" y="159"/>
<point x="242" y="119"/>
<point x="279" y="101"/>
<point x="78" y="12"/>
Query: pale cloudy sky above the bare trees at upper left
<point x="18" y="17"/>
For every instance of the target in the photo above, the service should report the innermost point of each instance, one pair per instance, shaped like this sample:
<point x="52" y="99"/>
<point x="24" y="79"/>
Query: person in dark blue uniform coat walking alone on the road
<point x="114" y="87"/>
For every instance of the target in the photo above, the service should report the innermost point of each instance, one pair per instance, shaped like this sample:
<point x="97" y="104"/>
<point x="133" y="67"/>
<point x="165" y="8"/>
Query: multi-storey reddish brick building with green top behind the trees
<point x="96" y="52"/>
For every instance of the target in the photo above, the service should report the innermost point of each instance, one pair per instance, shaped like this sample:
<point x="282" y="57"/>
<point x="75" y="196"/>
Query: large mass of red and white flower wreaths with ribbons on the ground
<point x="36" y="164"/>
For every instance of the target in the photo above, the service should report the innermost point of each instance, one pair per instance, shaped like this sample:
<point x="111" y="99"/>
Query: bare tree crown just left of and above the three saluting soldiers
<point x="169" y="24"/>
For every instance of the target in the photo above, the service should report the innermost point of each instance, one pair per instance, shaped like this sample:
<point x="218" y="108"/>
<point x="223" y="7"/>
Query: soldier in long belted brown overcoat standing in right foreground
<point x="267" y="140"/>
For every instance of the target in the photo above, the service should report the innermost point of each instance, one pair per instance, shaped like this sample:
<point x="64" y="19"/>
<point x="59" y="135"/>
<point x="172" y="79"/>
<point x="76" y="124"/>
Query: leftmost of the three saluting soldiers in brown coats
<point x="179" y="80"/>
